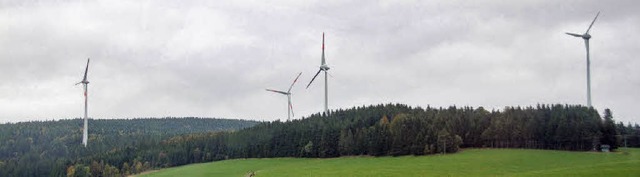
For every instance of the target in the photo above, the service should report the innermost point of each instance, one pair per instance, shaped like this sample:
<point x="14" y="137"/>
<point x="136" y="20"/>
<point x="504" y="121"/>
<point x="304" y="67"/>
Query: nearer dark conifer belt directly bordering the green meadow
<point x="376" y="130"/>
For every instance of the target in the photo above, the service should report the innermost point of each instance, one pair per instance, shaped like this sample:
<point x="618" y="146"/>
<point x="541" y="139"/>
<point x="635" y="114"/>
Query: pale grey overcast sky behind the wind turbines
<point x="165" y="58"/>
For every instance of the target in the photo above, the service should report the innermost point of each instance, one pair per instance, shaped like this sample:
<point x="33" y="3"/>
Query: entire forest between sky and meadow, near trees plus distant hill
<point x="123" y="147"/>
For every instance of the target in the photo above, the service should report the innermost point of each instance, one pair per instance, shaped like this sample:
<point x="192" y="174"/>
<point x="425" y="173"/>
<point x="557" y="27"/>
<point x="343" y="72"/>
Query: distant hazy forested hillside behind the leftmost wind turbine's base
<point x="43" y="148"/>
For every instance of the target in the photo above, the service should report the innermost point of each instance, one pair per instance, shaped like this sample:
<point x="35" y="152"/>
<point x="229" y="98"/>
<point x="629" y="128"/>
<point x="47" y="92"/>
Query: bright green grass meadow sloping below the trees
<point x="470" y="162"/>
